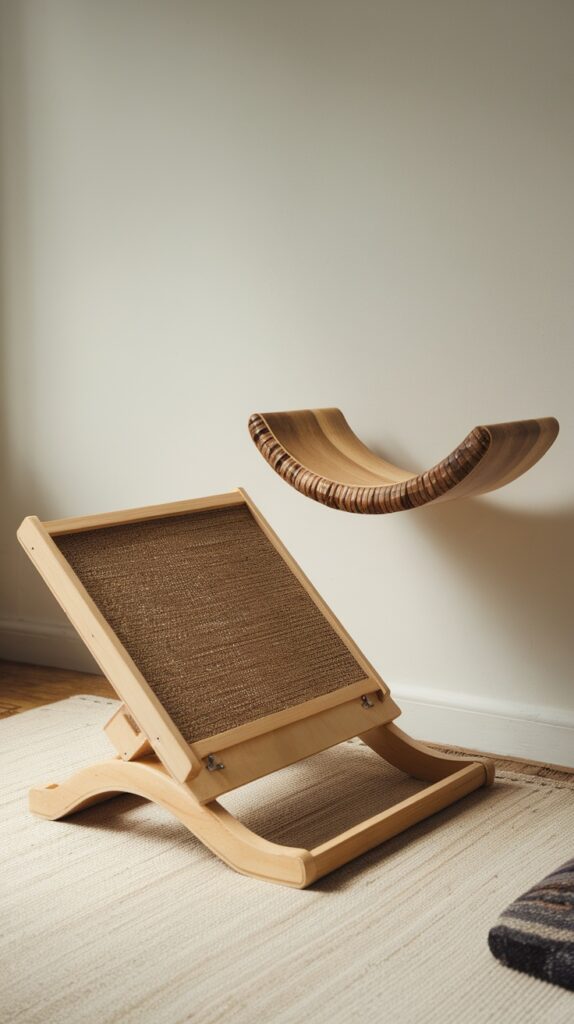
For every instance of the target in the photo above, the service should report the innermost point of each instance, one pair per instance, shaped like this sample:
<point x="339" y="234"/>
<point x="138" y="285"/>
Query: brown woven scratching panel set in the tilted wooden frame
<point x="212" y="616"/>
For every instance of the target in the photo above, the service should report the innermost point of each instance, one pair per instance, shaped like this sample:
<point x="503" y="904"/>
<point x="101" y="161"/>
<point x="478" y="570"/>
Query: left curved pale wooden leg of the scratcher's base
<point x="219" y="831"/>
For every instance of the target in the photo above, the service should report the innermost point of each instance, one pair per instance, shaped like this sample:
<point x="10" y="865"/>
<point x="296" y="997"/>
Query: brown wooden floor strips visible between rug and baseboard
<point x="27" y="687"/>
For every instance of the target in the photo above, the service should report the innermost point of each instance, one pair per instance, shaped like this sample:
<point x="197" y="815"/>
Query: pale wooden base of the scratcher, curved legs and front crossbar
<point x="452" y="779"/>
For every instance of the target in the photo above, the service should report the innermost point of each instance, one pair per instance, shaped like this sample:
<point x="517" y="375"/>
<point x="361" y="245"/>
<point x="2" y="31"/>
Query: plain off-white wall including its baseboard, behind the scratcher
<point x="212" y="208"/>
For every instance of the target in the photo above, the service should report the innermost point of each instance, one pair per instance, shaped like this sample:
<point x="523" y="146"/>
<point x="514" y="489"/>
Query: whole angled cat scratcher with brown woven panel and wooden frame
<point x="230" y="666"/>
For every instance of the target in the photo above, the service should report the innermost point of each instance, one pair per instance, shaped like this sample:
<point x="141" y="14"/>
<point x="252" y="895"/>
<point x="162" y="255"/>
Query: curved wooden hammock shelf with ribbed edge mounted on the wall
<point x="317" y="452"/>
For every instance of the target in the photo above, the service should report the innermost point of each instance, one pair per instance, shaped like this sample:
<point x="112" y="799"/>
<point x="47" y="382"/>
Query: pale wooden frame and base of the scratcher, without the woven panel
<point x="156" y="761"/>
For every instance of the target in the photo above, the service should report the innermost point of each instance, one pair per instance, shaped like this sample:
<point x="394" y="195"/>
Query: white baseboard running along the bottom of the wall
<point x="504" y="728"/>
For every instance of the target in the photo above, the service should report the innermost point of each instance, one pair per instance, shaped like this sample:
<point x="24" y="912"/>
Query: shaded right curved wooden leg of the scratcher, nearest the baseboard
<point x="418" y="760"/>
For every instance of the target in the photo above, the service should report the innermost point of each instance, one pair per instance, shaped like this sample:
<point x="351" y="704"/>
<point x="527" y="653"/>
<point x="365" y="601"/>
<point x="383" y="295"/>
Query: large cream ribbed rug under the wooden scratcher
<point x="119" y="915"/>
